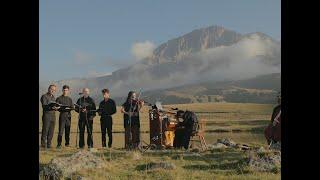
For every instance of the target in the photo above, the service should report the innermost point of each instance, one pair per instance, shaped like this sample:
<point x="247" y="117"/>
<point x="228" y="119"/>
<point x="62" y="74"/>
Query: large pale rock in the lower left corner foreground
<point x="64" y="167"/>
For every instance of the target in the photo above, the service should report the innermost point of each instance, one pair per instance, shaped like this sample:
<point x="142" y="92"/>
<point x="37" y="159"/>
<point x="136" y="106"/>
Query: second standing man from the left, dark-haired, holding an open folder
<point x="65" y="116"/>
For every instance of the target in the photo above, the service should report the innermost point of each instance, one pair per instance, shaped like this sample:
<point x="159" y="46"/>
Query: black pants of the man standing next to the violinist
<point x="106" y="127"/>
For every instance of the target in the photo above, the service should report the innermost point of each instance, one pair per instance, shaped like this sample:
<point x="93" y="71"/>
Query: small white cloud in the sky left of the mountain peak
<point x="141" y="50"/>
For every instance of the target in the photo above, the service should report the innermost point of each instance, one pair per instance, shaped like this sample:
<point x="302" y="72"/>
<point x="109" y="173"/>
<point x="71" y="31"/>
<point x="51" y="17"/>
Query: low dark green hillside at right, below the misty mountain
<point x="261" y="89"/>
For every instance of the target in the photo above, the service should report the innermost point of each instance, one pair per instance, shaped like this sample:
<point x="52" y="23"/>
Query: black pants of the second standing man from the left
<point x="64" y="125"/>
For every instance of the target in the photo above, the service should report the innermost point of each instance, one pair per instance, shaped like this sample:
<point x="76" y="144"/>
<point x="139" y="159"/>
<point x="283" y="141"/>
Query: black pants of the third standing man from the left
<point x="82" y="124"/>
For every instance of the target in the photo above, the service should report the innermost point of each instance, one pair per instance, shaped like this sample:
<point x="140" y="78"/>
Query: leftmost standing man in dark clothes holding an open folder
<point x="48" y="117"/>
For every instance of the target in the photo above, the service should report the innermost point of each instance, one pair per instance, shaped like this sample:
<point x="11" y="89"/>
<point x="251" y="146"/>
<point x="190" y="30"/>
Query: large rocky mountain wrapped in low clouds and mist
<point x="212" y="54"/>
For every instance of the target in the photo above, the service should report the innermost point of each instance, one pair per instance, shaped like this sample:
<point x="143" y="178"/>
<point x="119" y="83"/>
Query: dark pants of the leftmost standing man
<point x="48" y="123"/>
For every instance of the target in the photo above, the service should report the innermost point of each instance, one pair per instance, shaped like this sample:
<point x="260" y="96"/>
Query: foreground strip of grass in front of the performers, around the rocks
<point x="214" y="164"/>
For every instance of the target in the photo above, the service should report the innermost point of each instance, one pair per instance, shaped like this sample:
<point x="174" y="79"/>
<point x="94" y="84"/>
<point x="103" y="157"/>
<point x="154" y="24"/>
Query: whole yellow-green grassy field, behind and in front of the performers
<point x="243" y="123"/>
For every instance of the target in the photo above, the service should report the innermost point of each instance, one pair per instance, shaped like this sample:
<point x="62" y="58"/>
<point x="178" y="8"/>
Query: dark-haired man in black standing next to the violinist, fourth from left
<point x="107" y="108"/>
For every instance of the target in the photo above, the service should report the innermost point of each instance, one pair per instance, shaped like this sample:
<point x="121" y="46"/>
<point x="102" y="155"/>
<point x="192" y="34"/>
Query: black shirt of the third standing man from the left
<point x="91" y="106"/>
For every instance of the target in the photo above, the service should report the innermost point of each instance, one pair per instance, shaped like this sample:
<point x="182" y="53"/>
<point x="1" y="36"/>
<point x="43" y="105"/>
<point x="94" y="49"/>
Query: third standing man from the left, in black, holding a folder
<point x="87" y="110"/>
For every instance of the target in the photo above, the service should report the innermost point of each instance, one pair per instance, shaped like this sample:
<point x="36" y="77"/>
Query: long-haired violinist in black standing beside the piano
<point x="131" y="120"/>
